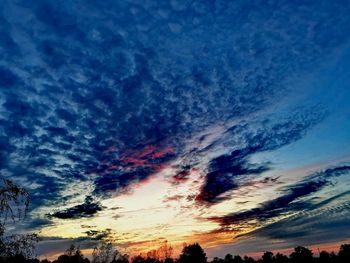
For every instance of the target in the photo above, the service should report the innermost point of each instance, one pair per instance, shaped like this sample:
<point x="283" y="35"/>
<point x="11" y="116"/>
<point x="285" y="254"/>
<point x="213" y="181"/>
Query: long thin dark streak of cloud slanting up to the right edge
<point x="287" y="204"/>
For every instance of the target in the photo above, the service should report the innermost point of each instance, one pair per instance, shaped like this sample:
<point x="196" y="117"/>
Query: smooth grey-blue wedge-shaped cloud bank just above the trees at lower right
<point x="320" y="223"/>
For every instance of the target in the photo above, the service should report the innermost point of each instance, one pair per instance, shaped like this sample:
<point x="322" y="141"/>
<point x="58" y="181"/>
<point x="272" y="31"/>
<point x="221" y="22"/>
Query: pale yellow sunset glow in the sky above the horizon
<point x="141" y="215"/>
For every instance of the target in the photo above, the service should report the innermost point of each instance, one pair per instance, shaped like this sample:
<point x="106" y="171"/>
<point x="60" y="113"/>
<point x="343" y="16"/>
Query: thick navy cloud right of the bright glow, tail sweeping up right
<point x="223" y="170"/>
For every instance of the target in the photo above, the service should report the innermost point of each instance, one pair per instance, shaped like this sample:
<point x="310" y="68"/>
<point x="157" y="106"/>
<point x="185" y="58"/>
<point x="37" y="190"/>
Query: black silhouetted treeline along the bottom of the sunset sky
<point x="105" y="253"/>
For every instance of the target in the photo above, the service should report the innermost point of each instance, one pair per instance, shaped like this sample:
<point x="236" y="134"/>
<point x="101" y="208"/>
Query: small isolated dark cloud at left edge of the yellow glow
<point x="87" y="209"/>
